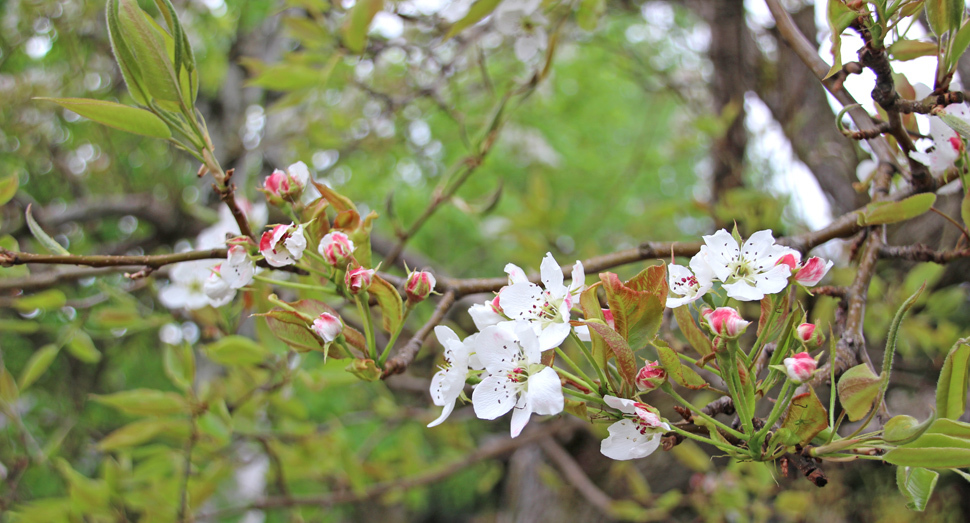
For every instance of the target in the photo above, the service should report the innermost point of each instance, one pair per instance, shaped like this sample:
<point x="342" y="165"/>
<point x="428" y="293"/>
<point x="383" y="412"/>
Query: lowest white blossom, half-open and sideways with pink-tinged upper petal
<point x="637" y="435"/>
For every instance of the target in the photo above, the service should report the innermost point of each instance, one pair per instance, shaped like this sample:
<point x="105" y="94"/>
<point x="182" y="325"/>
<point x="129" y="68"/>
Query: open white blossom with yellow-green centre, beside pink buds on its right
<point x="748" y="271"/>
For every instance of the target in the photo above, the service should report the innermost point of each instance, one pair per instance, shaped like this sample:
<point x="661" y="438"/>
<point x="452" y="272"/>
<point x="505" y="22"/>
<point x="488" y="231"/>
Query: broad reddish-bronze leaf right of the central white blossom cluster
<point x="638" y="304"/>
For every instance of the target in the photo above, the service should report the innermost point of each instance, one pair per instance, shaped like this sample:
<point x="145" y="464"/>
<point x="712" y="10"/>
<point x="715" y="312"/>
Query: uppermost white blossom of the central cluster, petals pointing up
<point x="547" y="309"/>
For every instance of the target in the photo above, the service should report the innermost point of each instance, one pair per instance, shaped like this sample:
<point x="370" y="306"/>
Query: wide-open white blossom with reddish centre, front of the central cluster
<point x="514" y="377"/>
